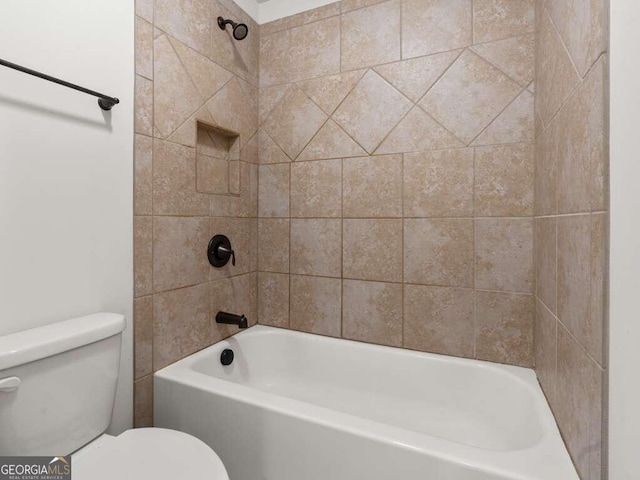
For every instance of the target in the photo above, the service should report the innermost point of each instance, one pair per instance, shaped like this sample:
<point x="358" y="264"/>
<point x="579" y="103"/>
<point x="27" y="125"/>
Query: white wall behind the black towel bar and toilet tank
<point x="66" y="168"/>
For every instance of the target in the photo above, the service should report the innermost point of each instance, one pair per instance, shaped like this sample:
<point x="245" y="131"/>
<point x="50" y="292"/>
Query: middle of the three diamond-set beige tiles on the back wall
<point x="371" y="111"/>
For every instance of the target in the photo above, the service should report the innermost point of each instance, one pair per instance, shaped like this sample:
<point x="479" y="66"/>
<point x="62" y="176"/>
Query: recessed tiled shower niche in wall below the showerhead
<point x="217" y="160"/>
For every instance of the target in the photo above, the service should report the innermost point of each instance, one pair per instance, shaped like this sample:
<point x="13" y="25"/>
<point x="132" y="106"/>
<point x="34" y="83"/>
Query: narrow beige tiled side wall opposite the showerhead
<point x="571" y="222"/>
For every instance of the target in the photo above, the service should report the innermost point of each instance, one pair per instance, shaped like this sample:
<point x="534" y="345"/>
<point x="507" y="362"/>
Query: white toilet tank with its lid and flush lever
<point x="58" y="384"/>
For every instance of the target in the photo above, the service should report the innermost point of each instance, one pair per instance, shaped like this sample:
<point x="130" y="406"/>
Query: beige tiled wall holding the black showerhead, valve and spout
<point x="188" y="69"/>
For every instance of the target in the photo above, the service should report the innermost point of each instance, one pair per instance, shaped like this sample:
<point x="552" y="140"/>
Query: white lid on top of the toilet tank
<point x="37" y="343"/>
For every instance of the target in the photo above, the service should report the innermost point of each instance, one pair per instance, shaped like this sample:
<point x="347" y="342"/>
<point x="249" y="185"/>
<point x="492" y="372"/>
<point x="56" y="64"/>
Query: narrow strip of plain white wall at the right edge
<point x="624" y="373"/>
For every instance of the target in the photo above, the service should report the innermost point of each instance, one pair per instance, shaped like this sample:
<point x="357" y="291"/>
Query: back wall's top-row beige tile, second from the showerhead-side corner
<point x="315" y="49"/>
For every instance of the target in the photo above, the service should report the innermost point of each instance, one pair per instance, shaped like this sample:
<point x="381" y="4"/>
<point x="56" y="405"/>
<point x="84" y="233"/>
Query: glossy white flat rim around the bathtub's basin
<point x="520" y="464"/>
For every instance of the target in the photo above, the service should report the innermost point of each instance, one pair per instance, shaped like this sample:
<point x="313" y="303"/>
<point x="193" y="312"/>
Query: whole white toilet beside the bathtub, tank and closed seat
<point x="57" y="391"/>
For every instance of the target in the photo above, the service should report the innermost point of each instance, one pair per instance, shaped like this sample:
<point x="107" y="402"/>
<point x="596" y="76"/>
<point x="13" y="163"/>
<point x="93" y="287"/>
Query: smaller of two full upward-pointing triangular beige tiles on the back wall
<point x="331" y="141"/>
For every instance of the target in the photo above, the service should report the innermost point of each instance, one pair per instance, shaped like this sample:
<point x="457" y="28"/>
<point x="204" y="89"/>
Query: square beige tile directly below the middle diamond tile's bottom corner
<point x="372" y="186"/>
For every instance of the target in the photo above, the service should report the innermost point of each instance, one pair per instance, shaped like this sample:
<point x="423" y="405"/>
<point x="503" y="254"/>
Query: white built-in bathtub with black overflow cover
<point x="295" y="406"/>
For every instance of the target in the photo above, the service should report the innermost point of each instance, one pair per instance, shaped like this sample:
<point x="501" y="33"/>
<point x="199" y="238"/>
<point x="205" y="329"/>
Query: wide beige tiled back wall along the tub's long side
<point x="397" y="173"/>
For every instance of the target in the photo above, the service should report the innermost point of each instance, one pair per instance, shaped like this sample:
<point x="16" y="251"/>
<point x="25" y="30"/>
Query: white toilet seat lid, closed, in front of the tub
<point x="148" y="453"/>
